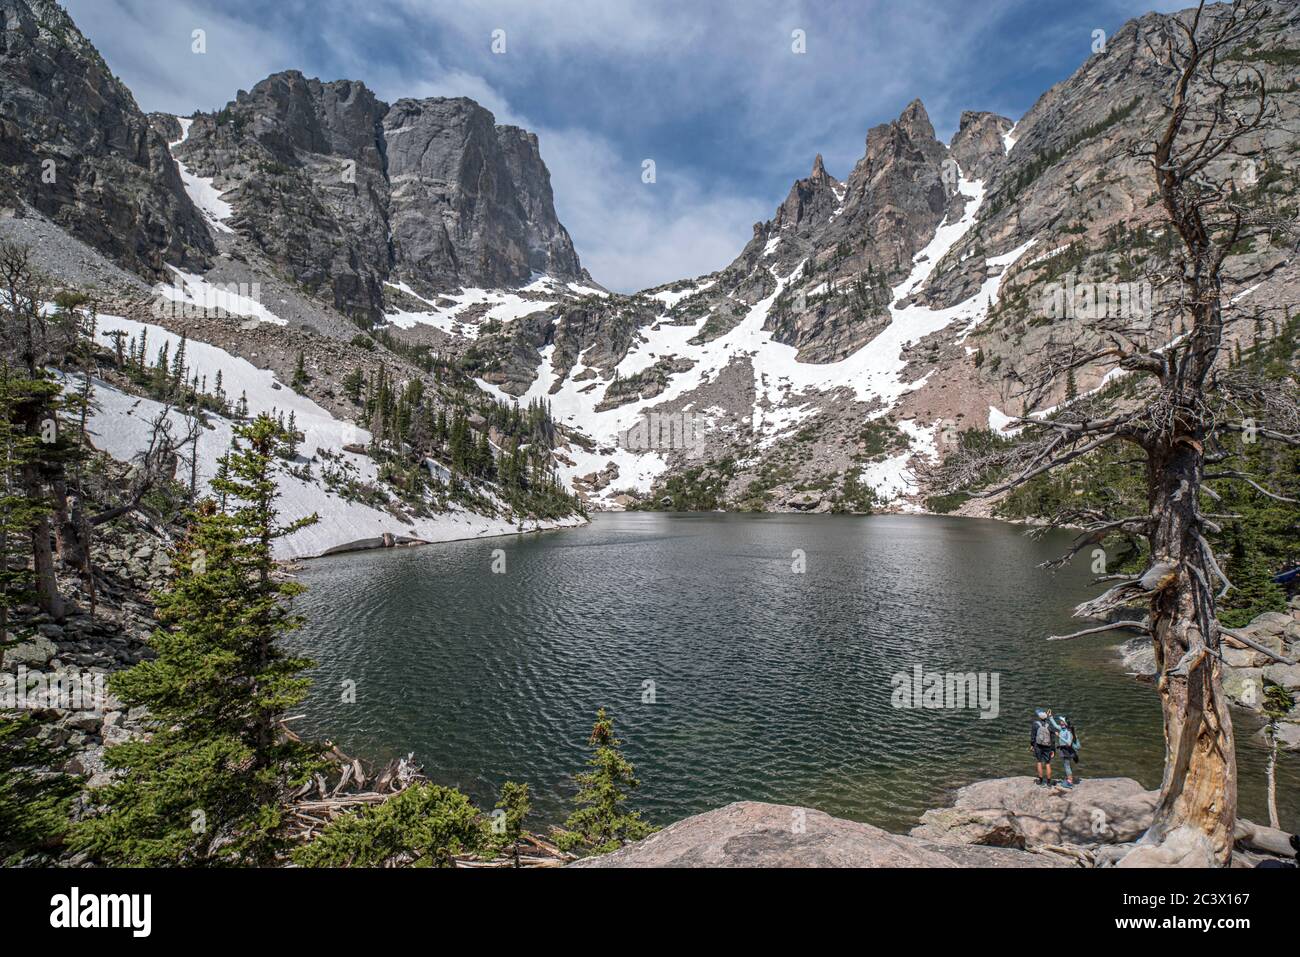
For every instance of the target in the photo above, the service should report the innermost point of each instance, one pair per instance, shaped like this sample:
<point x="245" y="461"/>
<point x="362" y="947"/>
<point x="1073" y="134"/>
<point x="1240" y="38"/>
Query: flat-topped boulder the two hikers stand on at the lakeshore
<point x="1016" y="812"/>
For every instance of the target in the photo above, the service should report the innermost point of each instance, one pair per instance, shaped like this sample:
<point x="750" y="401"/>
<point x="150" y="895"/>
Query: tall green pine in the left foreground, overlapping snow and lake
<point x="207" y="787"/>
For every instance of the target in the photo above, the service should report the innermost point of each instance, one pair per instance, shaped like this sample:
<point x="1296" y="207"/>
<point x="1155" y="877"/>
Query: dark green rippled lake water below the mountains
<point x="769" y="685"/>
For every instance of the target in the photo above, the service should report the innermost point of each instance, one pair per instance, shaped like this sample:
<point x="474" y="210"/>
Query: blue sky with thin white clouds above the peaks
<point x="712" y="92"/>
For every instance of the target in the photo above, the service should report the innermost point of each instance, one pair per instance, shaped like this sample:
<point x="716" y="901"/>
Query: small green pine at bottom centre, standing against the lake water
<point x="600" y="822"/>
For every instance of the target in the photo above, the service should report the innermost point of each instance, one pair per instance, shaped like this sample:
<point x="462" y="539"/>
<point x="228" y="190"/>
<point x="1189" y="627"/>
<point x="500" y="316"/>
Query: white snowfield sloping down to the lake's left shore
<point x="122" y="426"/>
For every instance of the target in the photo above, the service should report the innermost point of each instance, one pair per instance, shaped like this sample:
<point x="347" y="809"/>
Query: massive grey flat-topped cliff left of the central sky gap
<point x="348" y="193"/>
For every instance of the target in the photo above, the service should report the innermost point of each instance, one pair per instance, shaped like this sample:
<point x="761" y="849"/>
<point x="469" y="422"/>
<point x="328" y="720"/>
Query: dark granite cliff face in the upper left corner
<point x="75" y="148"/>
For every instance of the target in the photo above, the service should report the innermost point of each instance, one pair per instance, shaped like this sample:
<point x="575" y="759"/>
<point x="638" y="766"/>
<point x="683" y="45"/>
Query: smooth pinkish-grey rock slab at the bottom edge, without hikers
<point x="751" y="834"/>
